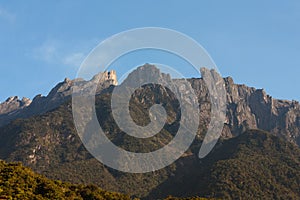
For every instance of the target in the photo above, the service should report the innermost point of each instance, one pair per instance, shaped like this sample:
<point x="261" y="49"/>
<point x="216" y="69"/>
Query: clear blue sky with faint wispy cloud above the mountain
<point x="255" y="42"/>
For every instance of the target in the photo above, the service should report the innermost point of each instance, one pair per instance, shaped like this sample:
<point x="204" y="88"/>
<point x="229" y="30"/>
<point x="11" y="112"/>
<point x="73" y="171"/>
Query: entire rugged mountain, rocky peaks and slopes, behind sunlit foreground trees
<point x="46" y="140"/>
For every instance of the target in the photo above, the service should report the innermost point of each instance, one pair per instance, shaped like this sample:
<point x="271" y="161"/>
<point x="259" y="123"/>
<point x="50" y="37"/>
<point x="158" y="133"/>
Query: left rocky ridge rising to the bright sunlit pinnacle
<point x="14" y="108"/>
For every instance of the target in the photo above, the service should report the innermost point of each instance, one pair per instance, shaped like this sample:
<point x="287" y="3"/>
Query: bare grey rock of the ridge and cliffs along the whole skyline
<point x="247" y="107"/>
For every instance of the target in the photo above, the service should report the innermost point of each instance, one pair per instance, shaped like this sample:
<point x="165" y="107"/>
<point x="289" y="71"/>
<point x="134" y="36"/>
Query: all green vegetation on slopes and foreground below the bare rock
<point x="253" y="165"/>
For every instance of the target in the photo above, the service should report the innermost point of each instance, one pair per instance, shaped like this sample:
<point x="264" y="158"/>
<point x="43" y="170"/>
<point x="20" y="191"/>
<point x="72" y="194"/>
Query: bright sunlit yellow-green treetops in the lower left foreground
<point x="18" y="182"/>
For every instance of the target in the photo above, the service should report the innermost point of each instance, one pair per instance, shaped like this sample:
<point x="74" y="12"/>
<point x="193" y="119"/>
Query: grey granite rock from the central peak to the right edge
<point x="247" y="107"/>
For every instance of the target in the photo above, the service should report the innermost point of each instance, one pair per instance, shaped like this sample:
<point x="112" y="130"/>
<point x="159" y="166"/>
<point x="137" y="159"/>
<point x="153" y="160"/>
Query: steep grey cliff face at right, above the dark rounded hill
<point x="250" y="108"/>
